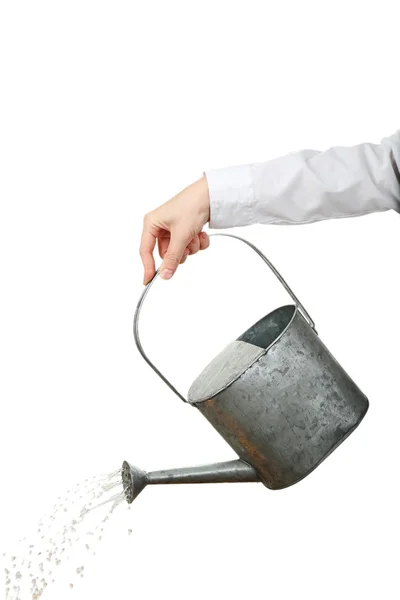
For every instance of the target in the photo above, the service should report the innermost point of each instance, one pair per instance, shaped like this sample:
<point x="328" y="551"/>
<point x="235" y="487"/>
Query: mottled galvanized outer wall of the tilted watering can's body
<point x="290" y="409"/>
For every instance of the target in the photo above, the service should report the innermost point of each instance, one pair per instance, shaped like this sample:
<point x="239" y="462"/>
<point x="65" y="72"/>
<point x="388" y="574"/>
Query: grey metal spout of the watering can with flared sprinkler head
<point x="135" y="480"/>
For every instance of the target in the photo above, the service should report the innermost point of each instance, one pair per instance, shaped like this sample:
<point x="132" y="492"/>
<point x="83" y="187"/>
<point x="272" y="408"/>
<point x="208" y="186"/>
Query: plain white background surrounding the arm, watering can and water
<point x="107" y="109"/>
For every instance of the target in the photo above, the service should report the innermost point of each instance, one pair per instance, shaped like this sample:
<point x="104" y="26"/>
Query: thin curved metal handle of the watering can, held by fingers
<point x="300" y="307"/>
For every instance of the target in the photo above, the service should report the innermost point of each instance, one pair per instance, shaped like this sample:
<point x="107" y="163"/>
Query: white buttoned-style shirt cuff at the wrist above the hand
<point x="231" y="196"/>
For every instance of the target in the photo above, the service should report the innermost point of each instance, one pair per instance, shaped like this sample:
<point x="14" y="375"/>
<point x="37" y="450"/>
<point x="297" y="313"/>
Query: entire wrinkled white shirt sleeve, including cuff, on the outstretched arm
<point x="308" y="186"/>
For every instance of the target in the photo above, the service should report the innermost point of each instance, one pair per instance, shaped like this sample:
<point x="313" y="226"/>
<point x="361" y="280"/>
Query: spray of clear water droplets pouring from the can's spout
<point x="77" y="520"/>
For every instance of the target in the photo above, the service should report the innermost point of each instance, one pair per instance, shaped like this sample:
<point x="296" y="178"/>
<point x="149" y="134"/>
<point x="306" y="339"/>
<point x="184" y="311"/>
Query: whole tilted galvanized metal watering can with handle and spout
<point x="276" y="395"/>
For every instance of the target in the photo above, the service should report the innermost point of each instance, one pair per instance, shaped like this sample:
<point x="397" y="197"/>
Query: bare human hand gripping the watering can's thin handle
<point x="176" y="225"/>
